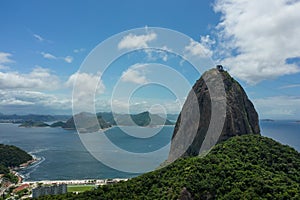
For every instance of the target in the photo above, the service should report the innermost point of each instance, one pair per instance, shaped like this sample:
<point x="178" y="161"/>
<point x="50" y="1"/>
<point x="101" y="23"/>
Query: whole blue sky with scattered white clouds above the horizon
<point x="45" y="46"/>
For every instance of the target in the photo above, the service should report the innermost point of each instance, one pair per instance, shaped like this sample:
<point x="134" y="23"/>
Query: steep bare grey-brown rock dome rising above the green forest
<point x="216" y="109"/>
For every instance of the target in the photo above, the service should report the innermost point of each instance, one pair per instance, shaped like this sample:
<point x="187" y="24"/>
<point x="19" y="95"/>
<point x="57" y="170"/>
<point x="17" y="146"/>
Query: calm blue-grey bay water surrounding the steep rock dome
<point x="63" y="156"/>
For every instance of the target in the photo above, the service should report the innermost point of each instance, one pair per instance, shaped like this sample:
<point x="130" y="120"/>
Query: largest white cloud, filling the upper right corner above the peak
<point x="256" y="37"/>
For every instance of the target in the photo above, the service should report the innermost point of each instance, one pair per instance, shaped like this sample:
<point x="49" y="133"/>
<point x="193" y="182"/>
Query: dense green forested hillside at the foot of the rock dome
<point x="243" y="167"/>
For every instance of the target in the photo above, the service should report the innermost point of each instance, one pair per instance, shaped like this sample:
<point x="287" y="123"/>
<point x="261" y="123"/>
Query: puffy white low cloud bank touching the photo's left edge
<point x="38" y="78"/>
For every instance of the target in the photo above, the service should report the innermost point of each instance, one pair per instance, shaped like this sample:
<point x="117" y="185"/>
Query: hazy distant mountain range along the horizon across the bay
<point x="86" y="122"/>
